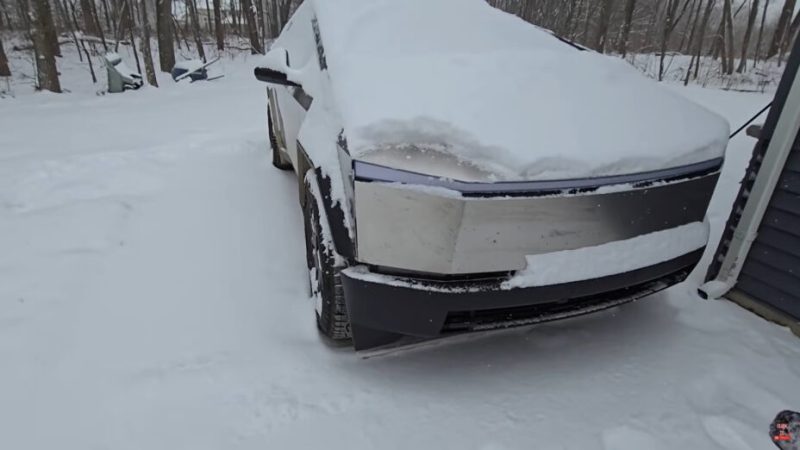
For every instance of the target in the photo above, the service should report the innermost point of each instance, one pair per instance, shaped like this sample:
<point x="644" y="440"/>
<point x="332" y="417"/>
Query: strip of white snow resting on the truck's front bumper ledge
<point x="611" y="258"/>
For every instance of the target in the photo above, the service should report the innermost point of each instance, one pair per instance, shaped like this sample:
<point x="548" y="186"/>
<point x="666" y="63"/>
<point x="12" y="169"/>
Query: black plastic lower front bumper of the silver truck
<point x="382" y="312"/>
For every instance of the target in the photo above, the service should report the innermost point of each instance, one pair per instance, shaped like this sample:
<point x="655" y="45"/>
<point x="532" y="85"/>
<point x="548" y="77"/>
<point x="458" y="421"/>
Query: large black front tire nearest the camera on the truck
<point x="324" y="278"/>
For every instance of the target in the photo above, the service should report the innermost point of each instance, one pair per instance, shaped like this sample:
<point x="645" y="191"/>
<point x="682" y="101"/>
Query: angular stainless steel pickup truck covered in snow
<point x="460" y="169"/>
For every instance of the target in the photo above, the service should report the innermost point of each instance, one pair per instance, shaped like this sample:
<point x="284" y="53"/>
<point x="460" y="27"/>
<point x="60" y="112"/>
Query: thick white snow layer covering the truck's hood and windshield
<point x="495" y="90"/>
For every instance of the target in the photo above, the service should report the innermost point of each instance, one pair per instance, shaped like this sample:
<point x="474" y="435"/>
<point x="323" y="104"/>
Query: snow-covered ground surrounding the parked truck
<point x="153" y="296"/>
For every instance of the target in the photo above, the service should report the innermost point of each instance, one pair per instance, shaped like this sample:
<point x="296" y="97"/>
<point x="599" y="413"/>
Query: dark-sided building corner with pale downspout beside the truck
<point x="757" y="262"/>
